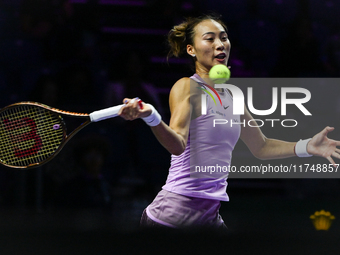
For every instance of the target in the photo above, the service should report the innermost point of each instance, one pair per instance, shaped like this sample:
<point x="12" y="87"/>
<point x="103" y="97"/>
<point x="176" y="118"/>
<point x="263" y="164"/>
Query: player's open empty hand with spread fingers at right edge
<point x="322" y="146"/>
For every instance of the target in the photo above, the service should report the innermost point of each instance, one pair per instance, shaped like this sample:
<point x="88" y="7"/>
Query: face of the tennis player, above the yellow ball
<point x="211" y="45"/>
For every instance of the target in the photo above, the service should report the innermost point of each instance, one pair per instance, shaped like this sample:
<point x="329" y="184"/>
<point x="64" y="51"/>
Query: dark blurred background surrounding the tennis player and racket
<point x="84" y="55"/>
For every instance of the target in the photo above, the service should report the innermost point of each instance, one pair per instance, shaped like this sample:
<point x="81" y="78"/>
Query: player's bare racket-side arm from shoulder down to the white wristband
<point x="175" y="136"/>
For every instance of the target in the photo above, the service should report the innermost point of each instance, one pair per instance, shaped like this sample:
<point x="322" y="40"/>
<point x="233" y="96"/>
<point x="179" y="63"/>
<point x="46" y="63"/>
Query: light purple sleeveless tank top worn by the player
<point x="202" y="169"/>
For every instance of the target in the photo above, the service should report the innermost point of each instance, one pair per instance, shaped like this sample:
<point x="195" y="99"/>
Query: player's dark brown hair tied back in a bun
<point x="183" y="34"/>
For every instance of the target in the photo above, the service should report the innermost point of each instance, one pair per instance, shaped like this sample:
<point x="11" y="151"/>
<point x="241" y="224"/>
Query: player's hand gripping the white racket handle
<point x="134" y="109"/>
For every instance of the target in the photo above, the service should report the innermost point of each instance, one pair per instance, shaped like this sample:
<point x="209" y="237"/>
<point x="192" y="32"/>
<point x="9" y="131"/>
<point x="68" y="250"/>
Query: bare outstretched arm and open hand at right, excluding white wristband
<point x="267" y="148"/>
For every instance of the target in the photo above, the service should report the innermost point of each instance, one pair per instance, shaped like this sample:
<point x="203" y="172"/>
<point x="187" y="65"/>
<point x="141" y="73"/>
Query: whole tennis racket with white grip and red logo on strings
<point x="31" y="134"/>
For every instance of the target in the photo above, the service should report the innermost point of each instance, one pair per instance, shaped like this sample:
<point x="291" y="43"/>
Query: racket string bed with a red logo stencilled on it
<point x="29" y="135"/>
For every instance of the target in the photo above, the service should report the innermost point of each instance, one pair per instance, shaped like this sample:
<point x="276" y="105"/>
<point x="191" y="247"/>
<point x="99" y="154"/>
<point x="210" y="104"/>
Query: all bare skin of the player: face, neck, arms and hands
<point x="210" y="40"/>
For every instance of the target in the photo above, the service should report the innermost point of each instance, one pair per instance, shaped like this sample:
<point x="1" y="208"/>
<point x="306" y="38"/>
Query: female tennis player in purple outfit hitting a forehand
<point x="186" y="200"/>
